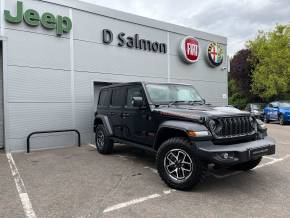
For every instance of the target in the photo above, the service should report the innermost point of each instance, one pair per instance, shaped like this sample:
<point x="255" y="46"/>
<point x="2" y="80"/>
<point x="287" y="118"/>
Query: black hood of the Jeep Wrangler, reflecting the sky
<point x="199" y="111"/>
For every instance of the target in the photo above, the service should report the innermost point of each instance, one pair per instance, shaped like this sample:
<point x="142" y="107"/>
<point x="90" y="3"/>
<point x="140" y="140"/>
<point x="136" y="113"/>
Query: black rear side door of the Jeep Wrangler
<point x="116" y="110"/>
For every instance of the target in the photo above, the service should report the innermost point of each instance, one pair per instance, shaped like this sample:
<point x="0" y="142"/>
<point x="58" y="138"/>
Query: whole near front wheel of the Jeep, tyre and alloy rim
<point x="178" y="166"/>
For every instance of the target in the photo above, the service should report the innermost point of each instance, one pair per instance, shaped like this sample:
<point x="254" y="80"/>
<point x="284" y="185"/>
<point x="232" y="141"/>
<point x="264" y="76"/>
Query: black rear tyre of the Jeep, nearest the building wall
<point x="107" y="146"/>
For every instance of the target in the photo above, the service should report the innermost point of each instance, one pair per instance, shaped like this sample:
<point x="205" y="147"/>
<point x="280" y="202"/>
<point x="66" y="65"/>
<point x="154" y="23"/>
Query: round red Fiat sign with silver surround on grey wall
<point x="189" y="50"/>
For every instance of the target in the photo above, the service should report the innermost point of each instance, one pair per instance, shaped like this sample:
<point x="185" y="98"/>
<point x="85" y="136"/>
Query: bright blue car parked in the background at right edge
<point x="277" y="111"/>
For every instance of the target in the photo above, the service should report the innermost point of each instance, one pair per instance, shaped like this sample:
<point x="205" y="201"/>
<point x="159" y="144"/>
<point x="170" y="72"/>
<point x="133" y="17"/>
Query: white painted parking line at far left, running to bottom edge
<point x="26" y="204"/>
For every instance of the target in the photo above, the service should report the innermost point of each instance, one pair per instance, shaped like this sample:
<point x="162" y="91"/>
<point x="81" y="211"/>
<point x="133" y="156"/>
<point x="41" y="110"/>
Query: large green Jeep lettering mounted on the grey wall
<point x="32" y="18"/>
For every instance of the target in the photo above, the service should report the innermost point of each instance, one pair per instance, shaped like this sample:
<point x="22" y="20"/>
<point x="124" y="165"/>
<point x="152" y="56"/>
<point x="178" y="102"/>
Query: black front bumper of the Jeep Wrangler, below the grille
<point x="235" y="153"/>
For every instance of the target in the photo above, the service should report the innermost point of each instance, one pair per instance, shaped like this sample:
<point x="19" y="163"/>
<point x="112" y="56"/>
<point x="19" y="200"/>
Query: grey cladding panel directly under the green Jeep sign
<point x="36" y="50"/>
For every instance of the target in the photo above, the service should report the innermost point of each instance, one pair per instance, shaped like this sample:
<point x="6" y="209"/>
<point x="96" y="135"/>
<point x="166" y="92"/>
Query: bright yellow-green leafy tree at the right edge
<point x="271" y="61"/>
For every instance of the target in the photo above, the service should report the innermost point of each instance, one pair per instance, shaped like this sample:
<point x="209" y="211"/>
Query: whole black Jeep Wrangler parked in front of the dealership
<point x="184" y="132"/>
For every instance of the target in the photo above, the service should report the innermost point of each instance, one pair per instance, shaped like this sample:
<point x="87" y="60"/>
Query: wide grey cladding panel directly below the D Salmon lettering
<point x="93" y="57"/>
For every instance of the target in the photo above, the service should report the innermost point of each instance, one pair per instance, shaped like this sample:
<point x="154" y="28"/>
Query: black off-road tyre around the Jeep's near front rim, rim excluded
<point x="199" y="168"/>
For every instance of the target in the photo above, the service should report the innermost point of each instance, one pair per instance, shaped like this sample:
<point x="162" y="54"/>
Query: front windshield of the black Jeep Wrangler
<point x="172" y="93"/>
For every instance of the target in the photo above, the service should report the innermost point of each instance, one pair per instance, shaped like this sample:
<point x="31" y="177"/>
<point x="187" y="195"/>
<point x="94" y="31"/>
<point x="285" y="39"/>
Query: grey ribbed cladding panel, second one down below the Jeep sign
<point x="27" y="84"/>
